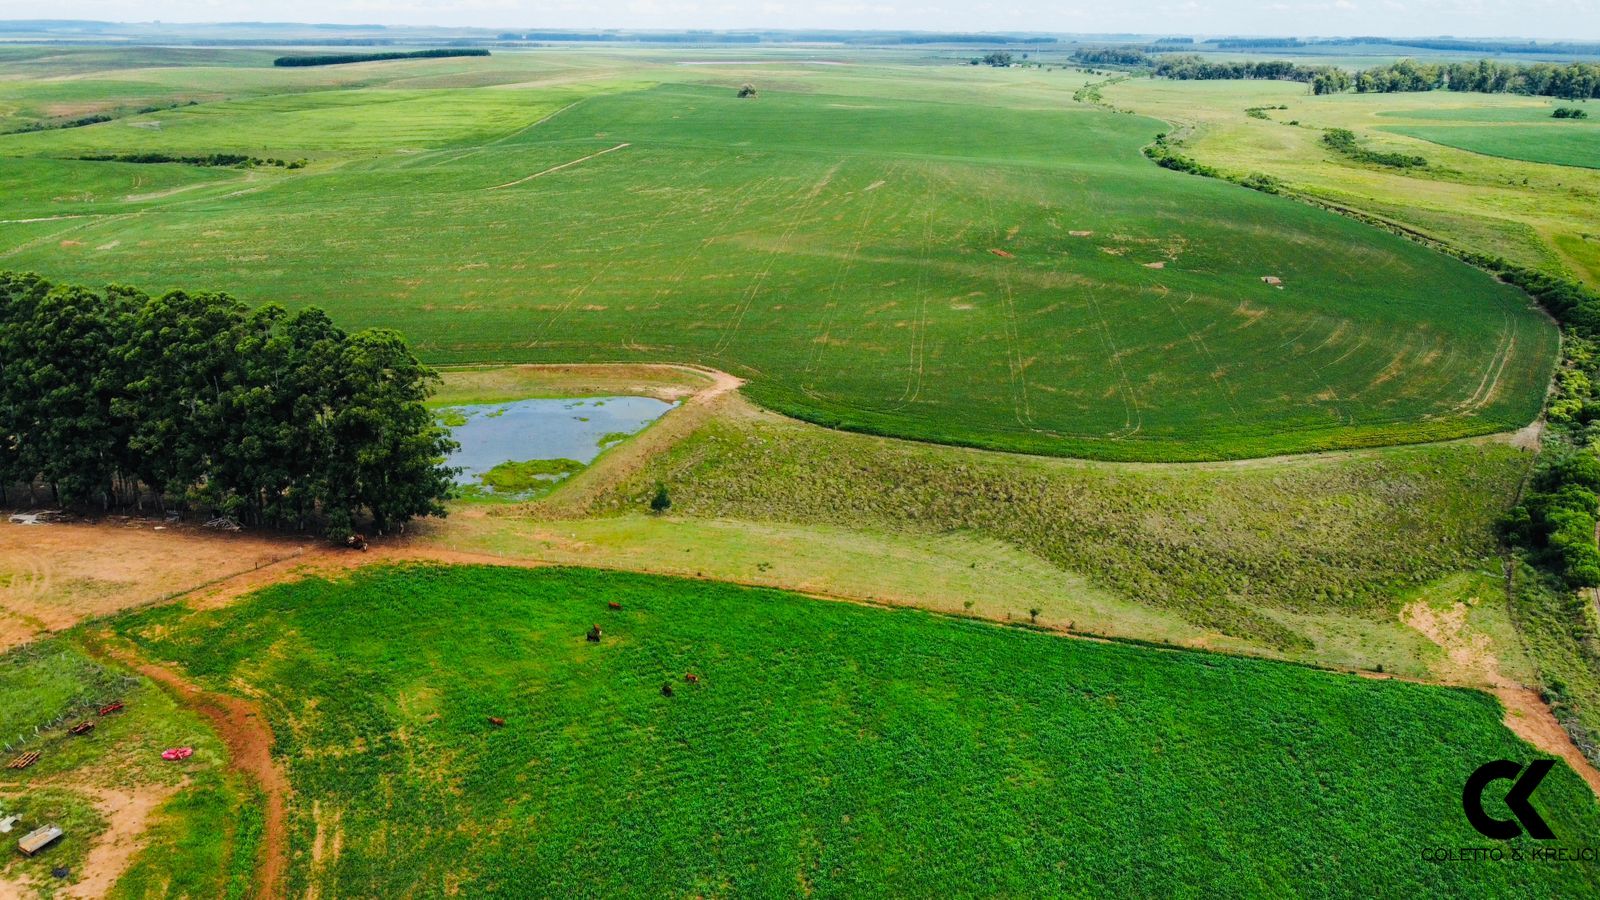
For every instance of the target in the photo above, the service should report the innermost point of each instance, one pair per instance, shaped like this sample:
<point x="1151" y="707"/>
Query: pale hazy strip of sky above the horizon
<point x="1553" y="20"/>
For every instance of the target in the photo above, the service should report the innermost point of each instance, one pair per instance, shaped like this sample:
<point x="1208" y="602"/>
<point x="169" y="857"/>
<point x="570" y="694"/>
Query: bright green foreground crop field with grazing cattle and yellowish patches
<point x="828" y="749"/>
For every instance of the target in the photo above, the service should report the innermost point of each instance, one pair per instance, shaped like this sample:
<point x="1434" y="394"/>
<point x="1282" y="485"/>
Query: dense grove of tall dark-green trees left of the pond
<point x="268" y="417"/>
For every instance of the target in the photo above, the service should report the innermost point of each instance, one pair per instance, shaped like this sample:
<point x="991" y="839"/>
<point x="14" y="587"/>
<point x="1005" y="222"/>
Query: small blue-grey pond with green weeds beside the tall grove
<point x="526" y="448"/>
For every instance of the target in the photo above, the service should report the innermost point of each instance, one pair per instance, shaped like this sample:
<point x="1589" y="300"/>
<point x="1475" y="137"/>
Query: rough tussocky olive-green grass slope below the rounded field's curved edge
<point x="1290" y="555"/>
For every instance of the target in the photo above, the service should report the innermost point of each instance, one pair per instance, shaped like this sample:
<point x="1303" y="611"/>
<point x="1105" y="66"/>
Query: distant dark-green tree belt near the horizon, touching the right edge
<point x="1570" y="81"/>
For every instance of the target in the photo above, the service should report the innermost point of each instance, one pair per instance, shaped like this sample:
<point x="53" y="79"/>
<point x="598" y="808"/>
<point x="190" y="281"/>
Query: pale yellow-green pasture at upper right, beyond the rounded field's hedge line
<point x="1534" y="214"/>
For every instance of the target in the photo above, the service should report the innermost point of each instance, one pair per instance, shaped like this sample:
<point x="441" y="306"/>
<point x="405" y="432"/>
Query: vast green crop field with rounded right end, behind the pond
<point x="927" y="252"/>
